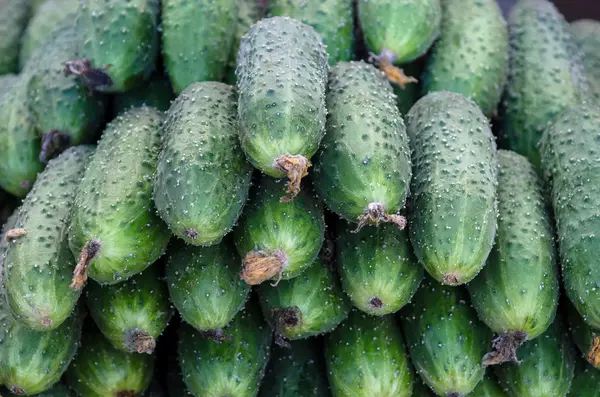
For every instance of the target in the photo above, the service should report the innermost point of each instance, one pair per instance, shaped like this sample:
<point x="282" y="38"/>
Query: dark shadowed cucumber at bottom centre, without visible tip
<point x="298" y="370"/>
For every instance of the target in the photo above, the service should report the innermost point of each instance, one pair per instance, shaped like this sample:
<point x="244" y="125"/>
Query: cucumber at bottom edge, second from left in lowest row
<point x="101" y="370"/>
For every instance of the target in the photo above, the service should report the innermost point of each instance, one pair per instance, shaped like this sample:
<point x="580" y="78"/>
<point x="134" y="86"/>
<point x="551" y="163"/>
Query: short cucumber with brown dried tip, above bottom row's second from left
<point x="133" y="314"/>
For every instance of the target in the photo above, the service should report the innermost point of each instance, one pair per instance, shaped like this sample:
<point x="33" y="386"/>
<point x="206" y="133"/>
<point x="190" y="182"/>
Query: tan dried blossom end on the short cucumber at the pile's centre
<point x="259" y="266"/>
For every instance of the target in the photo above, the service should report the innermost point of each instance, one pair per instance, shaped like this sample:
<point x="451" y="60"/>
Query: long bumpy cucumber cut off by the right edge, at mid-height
<point x="570" y="151"/>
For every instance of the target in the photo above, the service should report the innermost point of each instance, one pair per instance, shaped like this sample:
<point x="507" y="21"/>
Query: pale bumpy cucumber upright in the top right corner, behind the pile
<point x="545" y="75"/>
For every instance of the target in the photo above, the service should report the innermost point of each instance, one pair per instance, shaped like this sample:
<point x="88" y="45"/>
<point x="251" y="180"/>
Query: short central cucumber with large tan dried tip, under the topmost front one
<point x="277" y="238"/>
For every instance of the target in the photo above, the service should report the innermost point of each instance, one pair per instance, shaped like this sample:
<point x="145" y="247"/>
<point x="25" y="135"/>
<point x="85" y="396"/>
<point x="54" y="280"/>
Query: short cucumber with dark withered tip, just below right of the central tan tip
<point x="315" y="296"/>
